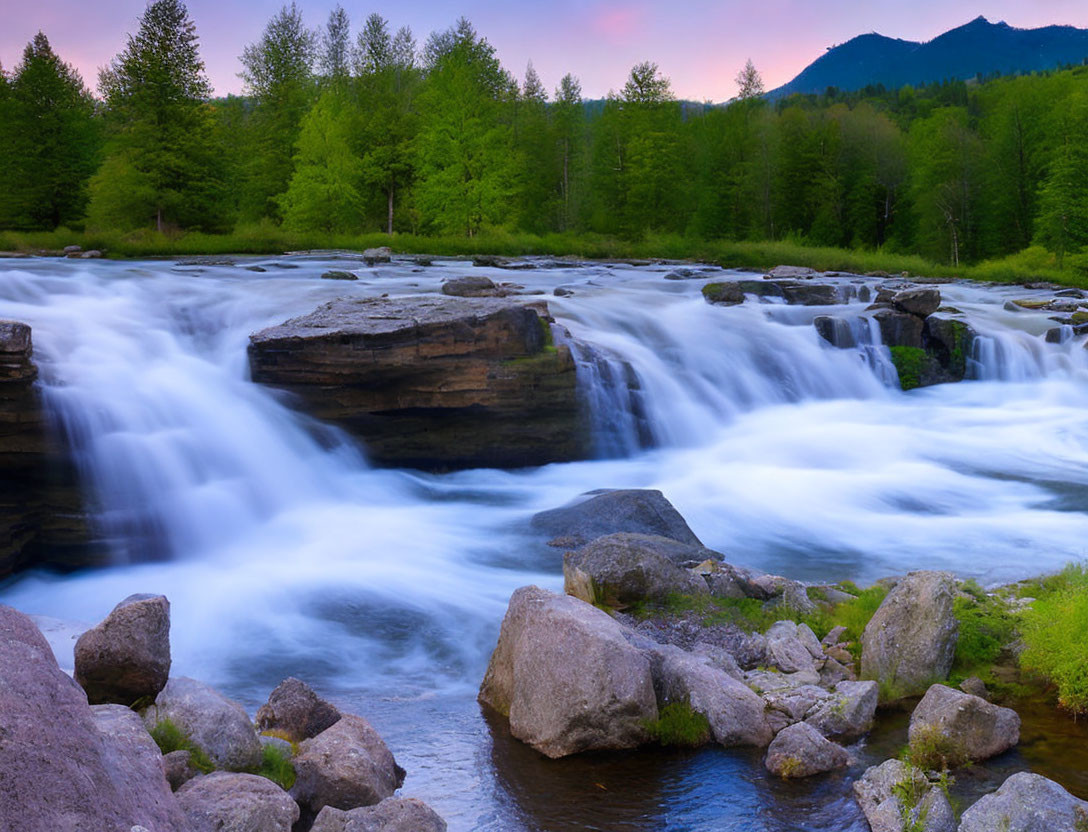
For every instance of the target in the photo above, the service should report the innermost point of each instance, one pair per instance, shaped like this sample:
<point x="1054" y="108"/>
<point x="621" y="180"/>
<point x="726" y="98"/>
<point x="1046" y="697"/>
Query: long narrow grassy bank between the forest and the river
<point x="1029" y="266"/>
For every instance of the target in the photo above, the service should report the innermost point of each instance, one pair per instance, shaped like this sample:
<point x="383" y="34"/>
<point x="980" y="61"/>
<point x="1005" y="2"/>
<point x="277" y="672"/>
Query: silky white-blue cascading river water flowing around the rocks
<point x="283" y="553"/>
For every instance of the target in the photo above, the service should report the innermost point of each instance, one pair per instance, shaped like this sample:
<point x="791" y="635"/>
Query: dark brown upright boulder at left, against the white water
<point x="127" y="657"/>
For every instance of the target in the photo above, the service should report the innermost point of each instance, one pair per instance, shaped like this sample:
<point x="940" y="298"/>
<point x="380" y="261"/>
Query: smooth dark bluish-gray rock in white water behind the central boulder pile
<point x="597" y="514"/>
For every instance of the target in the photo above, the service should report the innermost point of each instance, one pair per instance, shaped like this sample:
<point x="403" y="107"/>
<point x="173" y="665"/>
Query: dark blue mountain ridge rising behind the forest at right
<point x="980" y="47"/>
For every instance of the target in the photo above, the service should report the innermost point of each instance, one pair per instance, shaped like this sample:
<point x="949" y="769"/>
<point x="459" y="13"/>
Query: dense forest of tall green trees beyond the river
<point x="349" y="133"/>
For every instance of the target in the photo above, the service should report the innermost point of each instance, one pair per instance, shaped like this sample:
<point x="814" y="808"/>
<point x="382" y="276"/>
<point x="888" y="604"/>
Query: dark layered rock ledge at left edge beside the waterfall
<point x="42" y="513"/>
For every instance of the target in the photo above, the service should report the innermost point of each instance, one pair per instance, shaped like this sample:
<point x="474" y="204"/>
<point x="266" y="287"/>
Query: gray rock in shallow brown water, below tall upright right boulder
<point x="974" y="729"/>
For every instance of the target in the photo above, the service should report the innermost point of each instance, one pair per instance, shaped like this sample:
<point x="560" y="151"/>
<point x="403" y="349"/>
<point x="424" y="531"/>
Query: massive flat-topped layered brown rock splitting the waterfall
<point x="432" y="382"/>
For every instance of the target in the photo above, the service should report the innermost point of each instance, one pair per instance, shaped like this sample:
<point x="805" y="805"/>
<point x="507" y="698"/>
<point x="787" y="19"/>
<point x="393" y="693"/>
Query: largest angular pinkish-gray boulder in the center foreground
<point x="567" y="678"/>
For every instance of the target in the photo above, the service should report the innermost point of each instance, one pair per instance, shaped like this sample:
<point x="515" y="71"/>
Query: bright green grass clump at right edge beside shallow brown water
<point x="1055" y="630"/>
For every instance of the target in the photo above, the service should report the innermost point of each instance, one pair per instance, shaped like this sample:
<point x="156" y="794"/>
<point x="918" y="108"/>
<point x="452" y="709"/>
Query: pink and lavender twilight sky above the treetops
<point x="699" y="44"/>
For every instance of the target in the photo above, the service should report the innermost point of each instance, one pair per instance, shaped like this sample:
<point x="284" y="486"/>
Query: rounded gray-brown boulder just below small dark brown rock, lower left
<point x="345" y="766"/>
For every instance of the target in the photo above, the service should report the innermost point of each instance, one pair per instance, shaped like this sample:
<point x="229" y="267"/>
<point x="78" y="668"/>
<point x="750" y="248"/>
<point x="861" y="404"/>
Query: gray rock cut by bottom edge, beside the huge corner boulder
<point x="225" y="802"/>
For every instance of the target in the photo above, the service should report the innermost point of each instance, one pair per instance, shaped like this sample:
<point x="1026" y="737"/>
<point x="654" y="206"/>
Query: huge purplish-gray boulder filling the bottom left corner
<point x="63" y="766"/>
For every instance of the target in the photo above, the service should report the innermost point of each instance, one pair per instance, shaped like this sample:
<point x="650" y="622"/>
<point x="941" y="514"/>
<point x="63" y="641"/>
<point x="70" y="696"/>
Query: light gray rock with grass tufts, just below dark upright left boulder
<point x="216" y="724"/>
